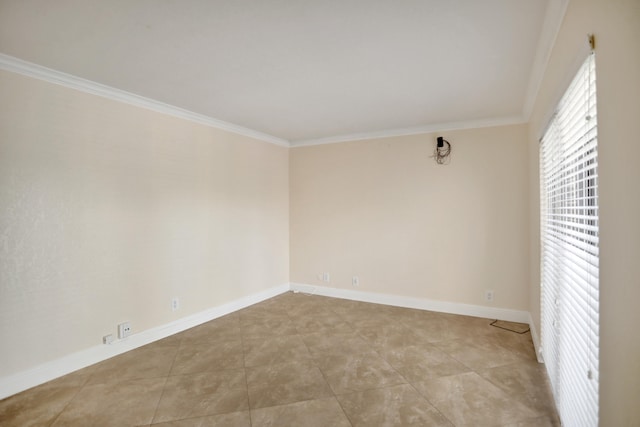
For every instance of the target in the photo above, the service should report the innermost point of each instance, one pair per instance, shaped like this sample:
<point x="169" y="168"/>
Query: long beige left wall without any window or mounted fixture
<point x="108" y="211"/>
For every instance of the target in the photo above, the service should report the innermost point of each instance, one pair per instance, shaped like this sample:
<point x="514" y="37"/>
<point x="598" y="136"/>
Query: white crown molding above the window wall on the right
<point x="554" y="15"/>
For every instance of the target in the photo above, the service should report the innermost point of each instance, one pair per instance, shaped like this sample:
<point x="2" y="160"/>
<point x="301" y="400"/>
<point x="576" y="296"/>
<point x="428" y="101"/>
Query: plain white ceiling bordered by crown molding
<point x="303" y="71"/>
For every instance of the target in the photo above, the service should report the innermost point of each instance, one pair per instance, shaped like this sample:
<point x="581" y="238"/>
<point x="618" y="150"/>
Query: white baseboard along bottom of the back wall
<point x="418" y="303"/>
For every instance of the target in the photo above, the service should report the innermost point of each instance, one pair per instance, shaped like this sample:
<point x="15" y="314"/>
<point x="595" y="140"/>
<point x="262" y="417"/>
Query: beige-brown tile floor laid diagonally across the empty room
<point x="298" y="360"/>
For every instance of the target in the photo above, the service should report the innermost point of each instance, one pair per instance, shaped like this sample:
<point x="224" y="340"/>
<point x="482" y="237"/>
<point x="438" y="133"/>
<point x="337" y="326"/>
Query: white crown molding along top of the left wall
<point x="19" y="66"/>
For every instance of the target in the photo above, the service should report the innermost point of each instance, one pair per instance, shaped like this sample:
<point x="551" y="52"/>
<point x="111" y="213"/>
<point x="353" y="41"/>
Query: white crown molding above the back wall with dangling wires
<point x="436" y="127"/>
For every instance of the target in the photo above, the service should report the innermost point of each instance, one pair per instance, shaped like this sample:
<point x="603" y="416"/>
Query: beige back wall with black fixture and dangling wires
<point x="383" y="210"/>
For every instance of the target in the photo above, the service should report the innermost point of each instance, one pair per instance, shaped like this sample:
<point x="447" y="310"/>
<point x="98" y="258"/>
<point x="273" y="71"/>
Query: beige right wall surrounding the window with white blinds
<point x="616" y="25"/>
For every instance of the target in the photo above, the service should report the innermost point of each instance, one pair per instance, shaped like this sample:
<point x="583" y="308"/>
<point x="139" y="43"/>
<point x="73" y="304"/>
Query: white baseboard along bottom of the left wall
<point x="40" y="374"/>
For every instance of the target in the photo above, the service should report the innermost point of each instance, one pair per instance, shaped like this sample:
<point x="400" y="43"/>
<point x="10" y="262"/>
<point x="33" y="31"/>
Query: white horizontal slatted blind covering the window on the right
<point x="569" y="245"/>
